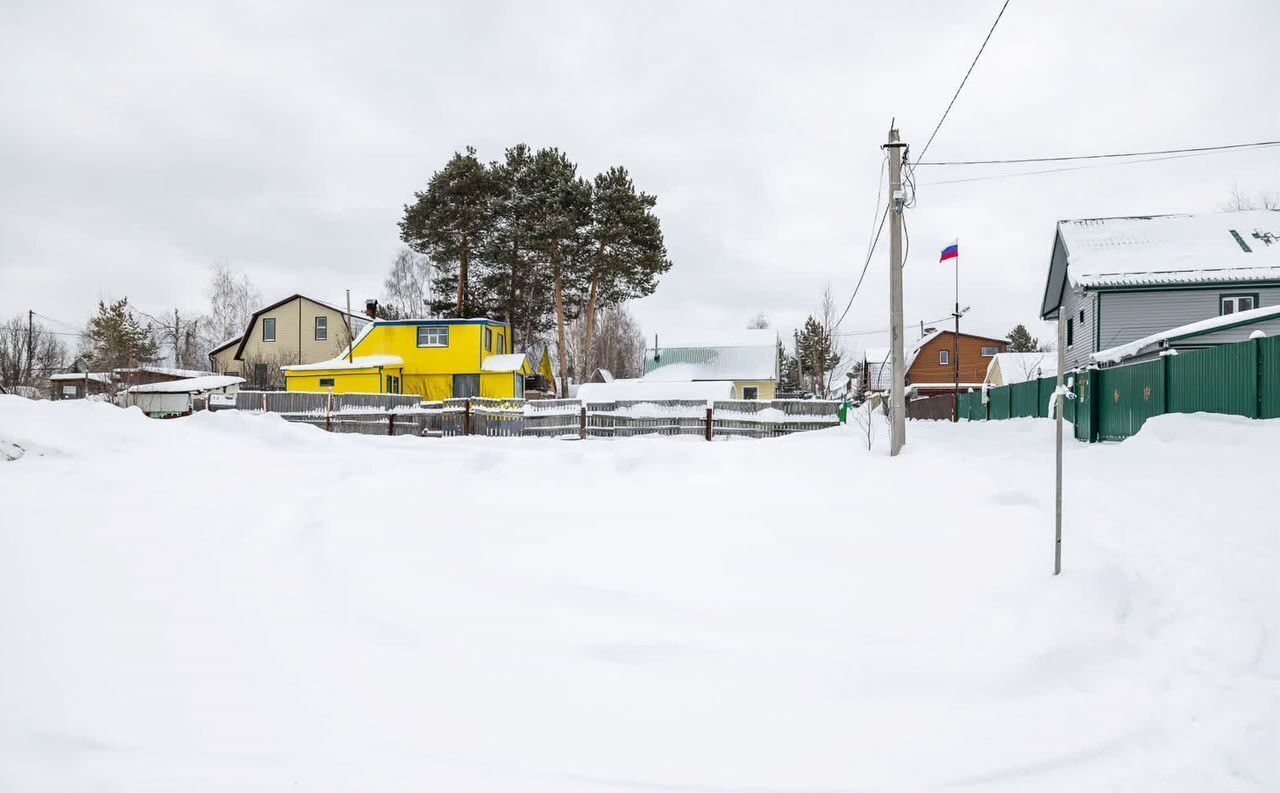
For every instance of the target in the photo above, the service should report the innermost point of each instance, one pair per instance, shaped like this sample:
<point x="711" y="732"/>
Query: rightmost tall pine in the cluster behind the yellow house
<point x="625" y="251"/>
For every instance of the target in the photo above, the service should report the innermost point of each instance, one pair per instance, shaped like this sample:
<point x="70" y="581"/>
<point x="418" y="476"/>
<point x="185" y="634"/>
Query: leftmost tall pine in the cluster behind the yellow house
<point x="449" y="223"/>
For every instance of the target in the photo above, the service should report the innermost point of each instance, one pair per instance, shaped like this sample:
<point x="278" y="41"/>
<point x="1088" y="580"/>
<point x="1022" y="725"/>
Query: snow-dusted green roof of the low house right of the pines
<point x="747" y="355"/>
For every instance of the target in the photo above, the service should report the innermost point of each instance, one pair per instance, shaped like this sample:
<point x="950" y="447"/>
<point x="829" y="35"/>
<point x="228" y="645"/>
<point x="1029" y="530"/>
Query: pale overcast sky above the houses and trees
<point x="140" y="143"/>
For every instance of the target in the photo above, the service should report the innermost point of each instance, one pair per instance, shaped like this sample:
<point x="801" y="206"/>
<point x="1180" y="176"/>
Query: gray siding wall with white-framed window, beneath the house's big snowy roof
<point x="1133" y="315"/>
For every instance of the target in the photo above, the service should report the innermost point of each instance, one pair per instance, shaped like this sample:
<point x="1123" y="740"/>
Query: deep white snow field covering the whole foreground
<point x="232" y="603"/>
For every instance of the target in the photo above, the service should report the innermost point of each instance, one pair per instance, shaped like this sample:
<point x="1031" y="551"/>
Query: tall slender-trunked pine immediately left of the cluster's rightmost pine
<point x="557" y="205"/>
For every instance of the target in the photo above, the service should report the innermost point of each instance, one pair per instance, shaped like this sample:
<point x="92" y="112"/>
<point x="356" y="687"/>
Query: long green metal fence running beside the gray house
<point x="1240" y="379"/>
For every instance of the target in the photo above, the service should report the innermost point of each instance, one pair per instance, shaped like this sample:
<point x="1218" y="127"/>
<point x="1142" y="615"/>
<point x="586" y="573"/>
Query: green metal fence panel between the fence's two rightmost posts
<point x="1219" y="381"/>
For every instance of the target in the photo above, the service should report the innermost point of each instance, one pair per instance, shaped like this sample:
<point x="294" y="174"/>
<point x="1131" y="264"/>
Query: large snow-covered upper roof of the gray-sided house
<point x="1214" y="247"/>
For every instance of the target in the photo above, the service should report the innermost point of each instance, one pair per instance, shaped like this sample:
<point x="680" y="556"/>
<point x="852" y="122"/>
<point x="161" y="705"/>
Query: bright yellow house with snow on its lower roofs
<point x="435" y="359"/>
